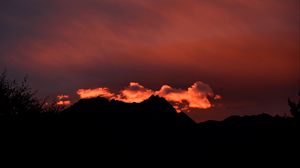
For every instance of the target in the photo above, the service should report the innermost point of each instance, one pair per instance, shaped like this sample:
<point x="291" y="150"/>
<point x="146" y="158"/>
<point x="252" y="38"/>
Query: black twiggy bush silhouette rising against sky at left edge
<point x="17" y="100"/>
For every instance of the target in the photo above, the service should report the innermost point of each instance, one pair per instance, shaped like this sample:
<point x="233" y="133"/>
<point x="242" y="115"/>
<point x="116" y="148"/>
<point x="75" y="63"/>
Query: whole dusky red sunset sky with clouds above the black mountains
<point x="210" y="58"/>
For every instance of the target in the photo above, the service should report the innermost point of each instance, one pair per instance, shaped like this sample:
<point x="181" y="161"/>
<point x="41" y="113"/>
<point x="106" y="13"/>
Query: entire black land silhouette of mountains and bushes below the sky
<point x="100" y="128"/>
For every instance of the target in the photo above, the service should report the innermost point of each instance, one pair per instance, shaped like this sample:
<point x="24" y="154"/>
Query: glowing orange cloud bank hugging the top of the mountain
<point x="196" y="96"/>
